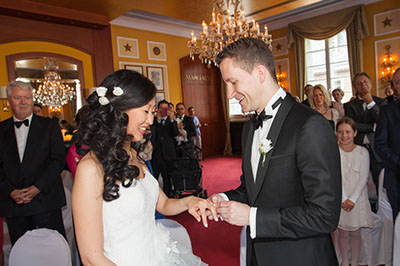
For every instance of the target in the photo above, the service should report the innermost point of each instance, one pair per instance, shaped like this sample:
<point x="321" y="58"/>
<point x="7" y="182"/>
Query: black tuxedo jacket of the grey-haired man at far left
<point x="43" y="161"/>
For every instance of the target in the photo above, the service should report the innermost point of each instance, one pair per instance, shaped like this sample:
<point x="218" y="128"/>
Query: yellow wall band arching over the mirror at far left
<point x="47" y="47"/>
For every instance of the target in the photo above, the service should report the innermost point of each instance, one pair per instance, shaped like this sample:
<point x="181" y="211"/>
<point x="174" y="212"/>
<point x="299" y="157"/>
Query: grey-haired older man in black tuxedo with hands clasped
<point x="32" y="156"/>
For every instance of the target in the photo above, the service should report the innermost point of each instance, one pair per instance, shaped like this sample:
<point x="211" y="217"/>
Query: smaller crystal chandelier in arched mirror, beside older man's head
<point x="53" y="92"/>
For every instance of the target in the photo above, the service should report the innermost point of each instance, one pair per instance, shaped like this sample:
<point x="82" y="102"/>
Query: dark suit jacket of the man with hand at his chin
<point x="364" y="119"/>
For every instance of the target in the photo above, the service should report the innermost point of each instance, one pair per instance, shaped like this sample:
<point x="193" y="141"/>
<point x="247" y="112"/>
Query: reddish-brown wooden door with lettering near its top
<point x="201" y="88"/>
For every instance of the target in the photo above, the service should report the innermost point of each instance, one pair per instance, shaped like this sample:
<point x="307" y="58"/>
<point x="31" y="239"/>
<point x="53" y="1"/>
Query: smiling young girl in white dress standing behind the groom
<point x="356" y="211"/>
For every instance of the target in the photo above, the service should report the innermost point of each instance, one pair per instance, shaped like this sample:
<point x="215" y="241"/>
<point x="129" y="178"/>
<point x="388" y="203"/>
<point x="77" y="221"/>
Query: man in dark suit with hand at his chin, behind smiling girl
<point x="364" y="110"/>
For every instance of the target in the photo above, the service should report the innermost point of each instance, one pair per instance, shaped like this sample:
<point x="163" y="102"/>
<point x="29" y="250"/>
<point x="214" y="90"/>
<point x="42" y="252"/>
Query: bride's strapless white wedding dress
<point x="131" y="235"/>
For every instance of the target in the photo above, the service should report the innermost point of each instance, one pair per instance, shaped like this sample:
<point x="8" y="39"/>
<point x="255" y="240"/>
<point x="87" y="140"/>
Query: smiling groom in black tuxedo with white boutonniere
<point x="290" y="194"/>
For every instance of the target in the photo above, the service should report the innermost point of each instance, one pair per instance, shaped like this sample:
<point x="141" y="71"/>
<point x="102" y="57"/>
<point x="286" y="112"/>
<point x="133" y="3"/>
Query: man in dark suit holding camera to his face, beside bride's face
<point x="164" y="131"/>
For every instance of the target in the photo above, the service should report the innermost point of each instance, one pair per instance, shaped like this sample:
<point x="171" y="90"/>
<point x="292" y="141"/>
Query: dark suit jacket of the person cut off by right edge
<point x="387" y="144"/>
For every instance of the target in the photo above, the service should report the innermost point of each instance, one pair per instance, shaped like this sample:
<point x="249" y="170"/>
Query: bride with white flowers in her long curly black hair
<point x="114" y="196"/>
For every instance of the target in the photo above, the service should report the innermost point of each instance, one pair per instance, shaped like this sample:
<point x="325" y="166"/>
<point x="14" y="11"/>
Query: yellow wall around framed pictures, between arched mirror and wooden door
<point x="176" y="48"/>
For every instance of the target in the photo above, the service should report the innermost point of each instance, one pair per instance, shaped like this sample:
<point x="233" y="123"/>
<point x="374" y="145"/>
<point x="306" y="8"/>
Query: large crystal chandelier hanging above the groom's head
<point x="225" y="28"/>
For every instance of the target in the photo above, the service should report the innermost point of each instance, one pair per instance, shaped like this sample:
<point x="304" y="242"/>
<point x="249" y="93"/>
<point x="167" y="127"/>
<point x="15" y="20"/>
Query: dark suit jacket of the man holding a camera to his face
<point x="164" y="141"/>
